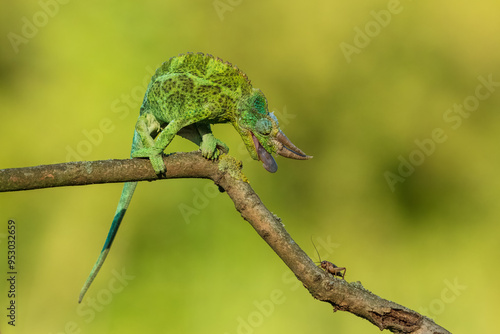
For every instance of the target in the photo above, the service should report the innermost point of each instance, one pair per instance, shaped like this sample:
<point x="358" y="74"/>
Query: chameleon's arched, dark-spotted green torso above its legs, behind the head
<point x="196" y="79"/>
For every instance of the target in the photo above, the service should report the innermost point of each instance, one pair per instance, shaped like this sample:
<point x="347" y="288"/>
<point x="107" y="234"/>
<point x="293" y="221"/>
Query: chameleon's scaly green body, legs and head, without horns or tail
<point x="194" y="91"/>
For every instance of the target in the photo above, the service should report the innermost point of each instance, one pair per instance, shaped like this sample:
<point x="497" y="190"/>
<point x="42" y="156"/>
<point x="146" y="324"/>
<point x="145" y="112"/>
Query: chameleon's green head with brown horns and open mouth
<point x="261" y="134"/>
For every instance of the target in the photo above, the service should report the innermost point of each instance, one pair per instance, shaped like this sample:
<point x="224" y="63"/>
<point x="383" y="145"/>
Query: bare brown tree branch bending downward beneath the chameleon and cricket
<point x="226" y="173"/>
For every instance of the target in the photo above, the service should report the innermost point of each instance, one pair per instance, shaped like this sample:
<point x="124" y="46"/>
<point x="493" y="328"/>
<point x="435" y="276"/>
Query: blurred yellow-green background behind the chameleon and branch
<point x="429" y="243"/>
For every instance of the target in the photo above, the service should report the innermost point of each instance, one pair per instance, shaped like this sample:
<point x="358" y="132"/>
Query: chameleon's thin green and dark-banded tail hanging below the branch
<point x="128" y="191"/>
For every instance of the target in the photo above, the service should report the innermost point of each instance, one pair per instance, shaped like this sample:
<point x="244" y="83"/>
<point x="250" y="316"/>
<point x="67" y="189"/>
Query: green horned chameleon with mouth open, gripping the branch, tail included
<point x="187" y="94"/>
